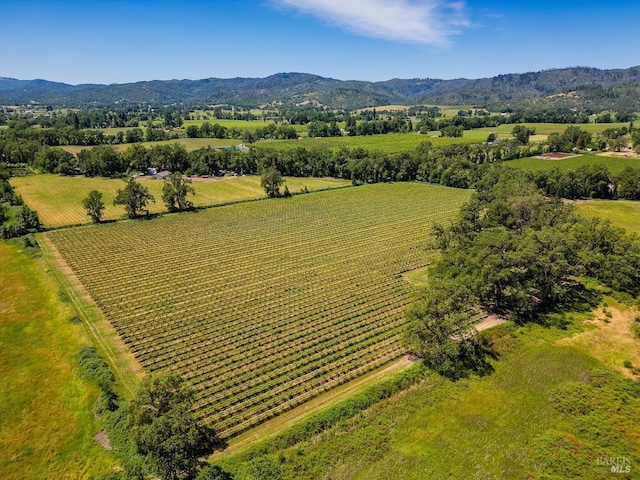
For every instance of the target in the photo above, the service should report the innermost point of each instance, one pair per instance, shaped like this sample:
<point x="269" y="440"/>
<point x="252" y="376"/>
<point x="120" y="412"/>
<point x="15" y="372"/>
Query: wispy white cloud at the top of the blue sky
<point x="429" y="22"/>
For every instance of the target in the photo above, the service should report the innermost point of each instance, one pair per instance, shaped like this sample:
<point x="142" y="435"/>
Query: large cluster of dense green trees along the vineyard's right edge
<point x="514" y="252"/>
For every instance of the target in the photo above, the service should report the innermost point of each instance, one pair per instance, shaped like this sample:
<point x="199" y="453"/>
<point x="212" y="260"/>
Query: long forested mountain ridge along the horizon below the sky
<point x="300" y="88"/>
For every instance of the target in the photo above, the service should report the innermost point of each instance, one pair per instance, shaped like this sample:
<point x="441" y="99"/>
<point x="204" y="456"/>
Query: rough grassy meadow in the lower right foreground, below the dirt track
<point x="521" y="421"/>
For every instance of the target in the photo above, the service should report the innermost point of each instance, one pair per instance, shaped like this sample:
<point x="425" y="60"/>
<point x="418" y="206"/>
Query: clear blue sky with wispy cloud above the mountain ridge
<point x="124" y="41"/>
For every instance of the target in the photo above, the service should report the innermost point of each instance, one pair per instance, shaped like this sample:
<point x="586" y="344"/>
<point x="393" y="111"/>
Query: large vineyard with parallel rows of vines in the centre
<point x="264" y="305"/>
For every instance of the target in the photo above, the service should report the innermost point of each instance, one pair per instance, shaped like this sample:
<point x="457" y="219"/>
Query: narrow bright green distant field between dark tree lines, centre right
<point x="389" y="143"/>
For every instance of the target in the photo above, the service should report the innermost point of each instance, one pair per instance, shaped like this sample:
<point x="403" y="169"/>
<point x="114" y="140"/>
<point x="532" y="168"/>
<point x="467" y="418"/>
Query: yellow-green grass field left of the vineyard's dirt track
<point x="46" y="420"/>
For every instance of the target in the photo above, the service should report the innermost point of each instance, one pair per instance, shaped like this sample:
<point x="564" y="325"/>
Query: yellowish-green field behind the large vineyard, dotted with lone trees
<point x="58" y="199"/>
